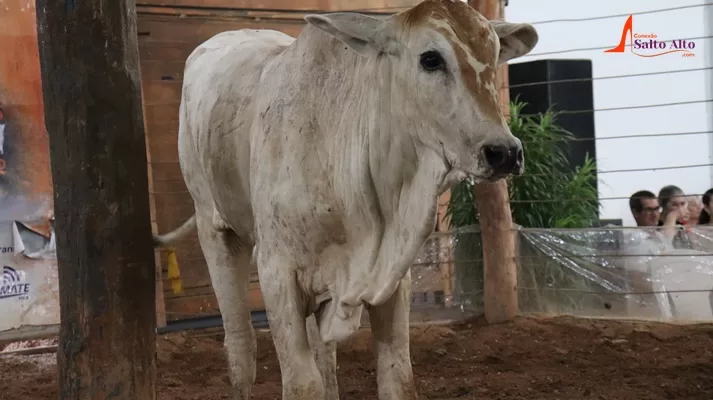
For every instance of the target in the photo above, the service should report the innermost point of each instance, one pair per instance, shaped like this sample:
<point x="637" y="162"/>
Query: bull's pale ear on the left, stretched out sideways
<point x="364" y="34"/>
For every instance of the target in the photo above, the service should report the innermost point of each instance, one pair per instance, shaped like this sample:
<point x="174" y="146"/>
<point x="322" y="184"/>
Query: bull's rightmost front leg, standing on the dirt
<point x="390" y="329"/>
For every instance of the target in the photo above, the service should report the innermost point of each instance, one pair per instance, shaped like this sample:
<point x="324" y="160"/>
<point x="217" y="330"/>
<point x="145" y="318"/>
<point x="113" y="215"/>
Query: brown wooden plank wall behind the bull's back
<point x="169" y="30"/>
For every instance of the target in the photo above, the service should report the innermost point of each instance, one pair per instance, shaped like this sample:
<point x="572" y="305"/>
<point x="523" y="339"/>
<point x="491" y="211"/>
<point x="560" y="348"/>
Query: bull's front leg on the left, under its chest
<point x="286" y="307"/>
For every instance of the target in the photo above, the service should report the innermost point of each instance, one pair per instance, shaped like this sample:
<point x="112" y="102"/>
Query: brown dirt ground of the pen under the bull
<point x="530" y="358"/>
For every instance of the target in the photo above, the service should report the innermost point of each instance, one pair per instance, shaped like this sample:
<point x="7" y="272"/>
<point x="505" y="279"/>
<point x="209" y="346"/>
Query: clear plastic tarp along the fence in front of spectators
<point x="638" y="273"/>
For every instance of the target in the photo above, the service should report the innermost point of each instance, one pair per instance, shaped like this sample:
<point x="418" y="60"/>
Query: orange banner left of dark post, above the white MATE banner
<point x="25" y="177"/>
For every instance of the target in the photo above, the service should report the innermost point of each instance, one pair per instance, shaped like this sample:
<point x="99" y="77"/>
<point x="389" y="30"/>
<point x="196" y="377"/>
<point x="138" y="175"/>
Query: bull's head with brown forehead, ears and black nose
<point x="442" y="56"/>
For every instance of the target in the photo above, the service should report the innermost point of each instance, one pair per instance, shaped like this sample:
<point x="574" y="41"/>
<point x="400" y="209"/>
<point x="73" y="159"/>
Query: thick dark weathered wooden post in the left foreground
<point x="91" y="84"/>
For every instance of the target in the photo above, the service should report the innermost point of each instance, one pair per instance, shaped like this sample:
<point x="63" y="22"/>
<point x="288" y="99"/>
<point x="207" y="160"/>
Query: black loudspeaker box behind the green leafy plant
<point x="535" y="83"/>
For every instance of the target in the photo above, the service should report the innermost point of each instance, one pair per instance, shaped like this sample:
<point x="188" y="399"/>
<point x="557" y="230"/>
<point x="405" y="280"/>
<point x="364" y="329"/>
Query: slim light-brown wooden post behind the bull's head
<point x="500" y="283"/>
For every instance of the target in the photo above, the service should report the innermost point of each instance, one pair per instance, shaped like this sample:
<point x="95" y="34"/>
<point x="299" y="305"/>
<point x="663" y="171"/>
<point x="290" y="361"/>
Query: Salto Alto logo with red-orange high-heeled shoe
<point x="648" y="45"/>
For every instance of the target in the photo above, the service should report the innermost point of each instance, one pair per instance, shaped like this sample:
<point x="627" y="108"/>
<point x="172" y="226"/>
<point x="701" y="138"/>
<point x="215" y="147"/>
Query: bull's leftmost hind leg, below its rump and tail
<point x="229" y="267"/>
